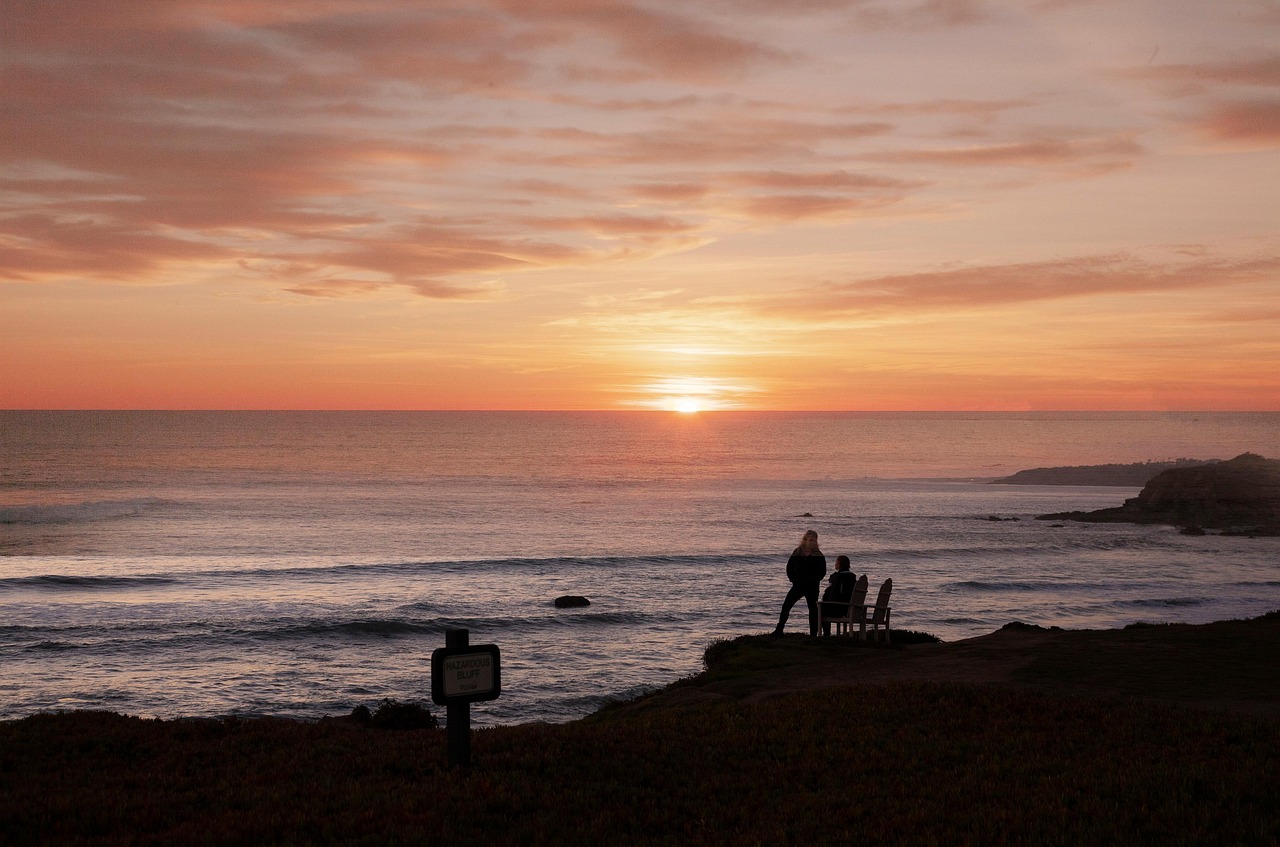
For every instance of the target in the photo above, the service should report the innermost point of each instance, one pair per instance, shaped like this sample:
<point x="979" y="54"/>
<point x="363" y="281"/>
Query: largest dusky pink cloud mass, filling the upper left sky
<point x="202" y="130"/>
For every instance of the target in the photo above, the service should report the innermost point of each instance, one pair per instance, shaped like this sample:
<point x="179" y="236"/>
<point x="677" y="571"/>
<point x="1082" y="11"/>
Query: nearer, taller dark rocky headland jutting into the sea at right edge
<point x="1241" y="496"/>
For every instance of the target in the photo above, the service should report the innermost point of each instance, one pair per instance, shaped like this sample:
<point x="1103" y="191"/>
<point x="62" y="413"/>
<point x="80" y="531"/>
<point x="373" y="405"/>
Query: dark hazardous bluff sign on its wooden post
<point x="464" y="674"/>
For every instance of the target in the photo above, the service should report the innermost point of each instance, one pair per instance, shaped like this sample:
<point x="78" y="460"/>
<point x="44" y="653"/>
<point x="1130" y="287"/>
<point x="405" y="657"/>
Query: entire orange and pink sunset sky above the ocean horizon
<point x="641" y="204"/>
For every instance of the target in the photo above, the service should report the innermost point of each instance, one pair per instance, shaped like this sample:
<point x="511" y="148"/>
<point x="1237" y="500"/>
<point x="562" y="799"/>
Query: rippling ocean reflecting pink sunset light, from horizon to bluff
<point x="303" y="564"/>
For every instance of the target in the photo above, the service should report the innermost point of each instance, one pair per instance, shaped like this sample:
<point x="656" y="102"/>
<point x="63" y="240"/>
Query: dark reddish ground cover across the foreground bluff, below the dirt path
<point x="899" y="763"/>
